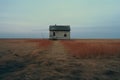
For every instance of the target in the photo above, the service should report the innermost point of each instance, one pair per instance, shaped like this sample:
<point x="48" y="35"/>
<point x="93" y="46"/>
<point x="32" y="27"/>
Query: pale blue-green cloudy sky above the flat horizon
<point x="87" y="18"/>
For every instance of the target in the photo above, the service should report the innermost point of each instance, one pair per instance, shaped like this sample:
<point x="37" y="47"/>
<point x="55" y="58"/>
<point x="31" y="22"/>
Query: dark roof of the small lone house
<point x="59" y="28"/>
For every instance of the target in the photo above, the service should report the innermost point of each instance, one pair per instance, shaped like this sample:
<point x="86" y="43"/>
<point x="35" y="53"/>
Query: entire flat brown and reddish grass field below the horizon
<point x="42" y="59"/>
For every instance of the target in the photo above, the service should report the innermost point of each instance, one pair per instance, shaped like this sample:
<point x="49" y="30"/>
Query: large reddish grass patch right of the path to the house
<point x="93" y="48"/>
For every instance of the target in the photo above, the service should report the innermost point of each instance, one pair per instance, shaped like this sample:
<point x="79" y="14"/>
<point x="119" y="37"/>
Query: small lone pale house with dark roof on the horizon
<point x="59" y="32"/>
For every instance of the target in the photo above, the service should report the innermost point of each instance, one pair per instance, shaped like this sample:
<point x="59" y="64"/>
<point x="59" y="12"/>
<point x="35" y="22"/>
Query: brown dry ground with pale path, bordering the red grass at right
<point x="26" y="60"/>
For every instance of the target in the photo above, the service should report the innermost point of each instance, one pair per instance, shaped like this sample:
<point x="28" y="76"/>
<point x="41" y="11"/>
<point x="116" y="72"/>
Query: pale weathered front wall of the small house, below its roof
<point x="59" y="35"/>
